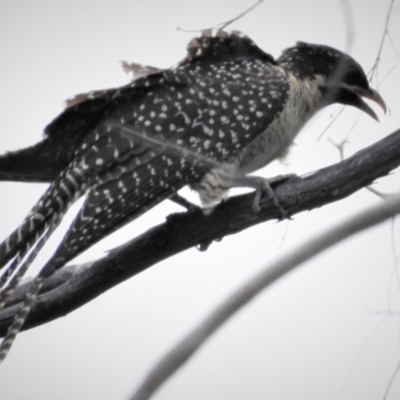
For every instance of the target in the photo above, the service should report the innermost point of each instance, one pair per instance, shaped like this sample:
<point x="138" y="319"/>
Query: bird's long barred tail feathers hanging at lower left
<point x="23" y="245"/>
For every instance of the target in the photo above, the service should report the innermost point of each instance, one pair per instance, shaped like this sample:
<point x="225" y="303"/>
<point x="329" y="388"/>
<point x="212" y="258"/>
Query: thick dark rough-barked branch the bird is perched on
<point x="185" y="230"/>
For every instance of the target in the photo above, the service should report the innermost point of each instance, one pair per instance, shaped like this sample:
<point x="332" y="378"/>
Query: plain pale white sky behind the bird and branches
<point x="315" y="335"/>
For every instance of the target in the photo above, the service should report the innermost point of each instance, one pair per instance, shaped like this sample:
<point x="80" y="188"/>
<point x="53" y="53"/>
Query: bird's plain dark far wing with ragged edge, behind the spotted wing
<point x="44" y="161"/>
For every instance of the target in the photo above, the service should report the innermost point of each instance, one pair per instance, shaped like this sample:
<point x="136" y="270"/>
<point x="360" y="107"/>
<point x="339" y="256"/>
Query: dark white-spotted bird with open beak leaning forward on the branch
<point x="223" y="112"/>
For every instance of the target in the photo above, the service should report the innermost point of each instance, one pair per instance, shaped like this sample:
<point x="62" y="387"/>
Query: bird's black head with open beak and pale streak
<point x="341" y="79"/>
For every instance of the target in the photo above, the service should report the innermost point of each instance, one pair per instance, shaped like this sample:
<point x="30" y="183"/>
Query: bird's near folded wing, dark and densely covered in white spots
<point x="213" y="104"/>
